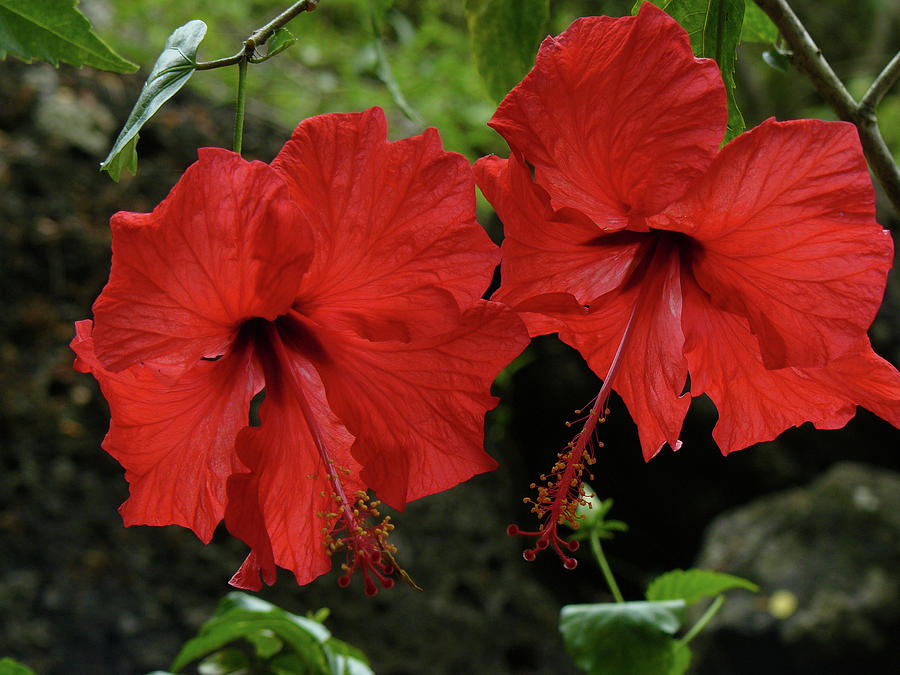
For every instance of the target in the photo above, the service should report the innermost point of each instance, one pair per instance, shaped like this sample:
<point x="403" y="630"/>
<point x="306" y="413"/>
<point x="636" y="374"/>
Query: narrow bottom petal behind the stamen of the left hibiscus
<point x="277" y="508"/>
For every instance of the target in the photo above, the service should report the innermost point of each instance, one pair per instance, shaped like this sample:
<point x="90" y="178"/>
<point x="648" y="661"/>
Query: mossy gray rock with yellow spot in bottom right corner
<point x="826" y="558"/>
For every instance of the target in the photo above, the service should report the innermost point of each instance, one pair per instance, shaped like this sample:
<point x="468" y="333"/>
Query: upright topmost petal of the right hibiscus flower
<point x="617" y="117"/>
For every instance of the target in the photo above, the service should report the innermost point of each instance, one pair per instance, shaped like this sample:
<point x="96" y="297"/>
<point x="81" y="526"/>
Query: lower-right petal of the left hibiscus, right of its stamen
<point x="417" y="408"/>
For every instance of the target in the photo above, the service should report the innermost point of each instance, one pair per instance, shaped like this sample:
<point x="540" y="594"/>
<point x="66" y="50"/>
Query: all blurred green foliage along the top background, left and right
<point x="333" y="66"/>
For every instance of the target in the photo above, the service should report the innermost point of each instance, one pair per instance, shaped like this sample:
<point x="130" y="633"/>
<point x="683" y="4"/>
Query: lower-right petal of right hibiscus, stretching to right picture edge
<point x="755" y="403"/>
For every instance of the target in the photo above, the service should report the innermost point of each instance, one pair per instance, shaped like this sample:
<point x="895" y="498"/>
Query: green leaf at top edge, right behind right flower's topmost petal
<point x="714" y="28"/>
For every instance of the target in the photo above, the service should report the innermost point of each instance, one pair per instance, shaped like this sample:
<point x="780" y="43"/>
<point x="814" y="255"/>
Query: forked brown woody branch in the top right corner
<point x="810" y="60"/>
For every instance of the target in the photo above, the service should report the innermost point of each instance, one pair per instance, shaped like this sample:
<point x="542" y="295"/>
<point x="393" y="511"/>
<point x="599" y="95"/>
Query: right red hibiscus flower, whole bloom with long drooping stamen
<point x="757" y="268"/>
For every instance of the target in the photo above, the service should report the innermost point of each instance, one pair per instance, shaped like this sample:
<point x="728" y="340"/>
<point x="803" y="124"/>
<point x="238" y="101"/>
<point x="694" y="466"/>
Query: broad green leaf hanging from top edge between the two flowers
<point x="505" y="37"/>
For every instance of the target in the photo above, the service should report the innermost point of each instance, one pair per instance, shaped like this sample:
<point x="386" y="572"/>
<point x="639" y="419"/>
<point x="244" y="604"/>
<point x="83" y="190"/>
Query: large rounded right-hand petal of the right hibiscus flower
<point x="785" y="220"/>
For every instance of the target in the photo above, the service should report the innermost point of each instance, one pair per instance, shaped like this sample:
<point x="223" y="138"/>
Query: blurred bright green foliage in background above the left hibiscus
<point x="333" y="66"/>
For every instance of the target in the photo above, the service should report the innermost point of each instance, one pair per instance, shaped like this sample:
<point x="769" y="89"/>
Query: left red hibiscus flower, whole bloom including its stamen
<point x="344" y="281"/>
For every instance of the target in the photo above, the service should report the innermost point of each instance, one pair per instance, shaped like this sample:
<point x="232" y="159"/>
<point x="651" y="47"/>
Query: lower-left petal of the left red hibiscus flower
<point x="175" y="441"/>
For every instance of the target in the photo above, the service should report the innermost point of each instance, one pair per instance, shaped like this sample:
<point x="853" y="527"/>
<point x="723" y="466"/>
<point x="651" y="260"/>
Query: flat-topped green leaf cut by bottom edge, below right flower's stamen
<point x="625" y="638"/>
